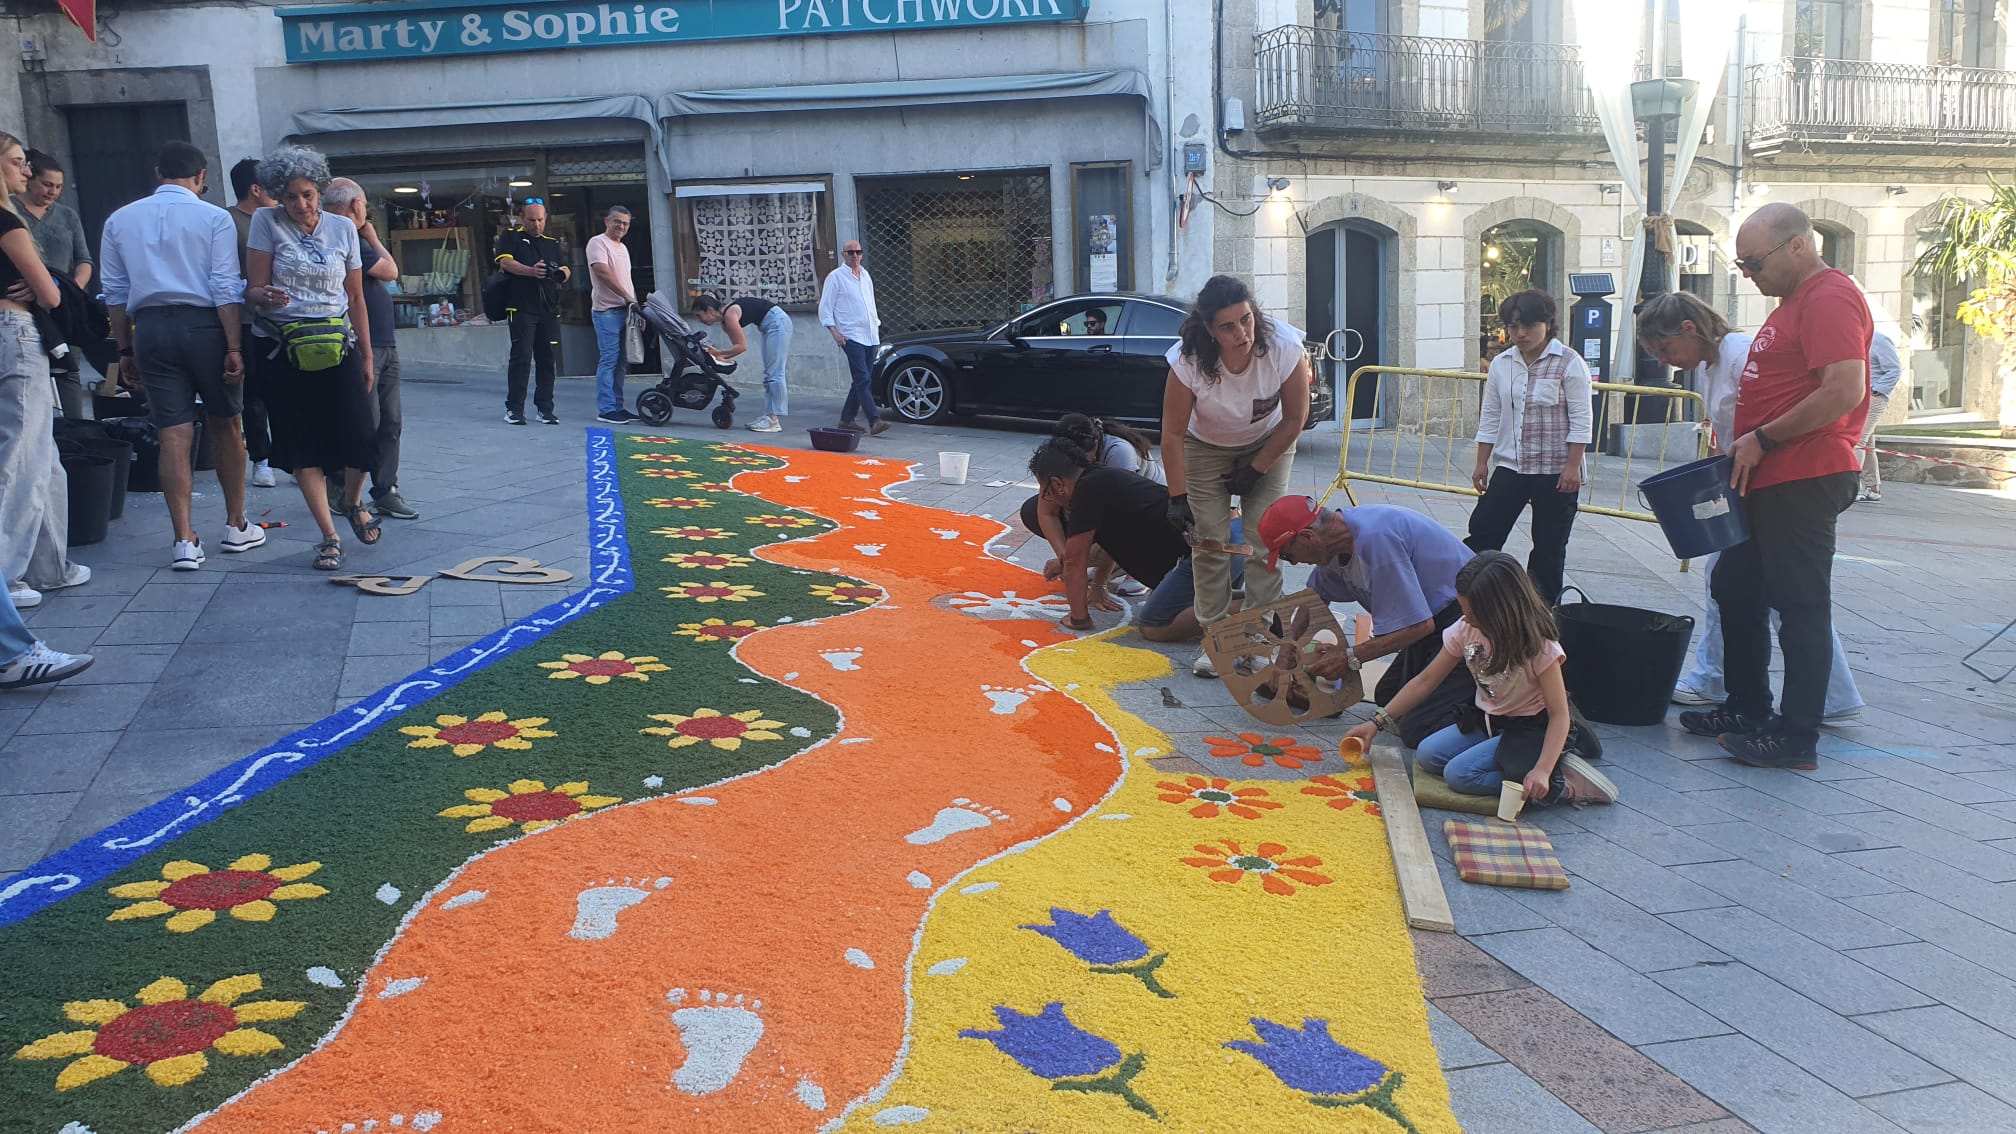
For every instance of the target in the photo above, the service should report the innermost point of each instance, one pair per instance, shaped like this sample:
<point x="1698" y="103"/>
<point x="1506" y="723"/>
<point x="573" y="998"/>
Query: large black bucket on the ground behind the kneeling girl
<point x="1624" y="663"/>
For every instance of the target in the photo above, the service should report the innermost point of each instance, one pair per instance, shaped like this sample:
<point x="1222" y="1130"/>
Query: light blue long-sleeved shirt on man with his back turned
<point x="170" y="249"/>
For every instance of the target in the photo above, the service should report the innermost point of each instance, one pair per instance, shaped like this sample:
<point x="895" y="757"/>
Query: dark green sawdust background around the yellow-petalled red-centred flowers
<point x="370" y="814"/>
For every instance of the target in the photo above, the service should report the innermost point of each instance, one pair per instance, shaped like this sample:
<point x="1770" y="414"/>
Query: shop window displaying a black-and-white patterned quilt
<point x="757" y="239"/>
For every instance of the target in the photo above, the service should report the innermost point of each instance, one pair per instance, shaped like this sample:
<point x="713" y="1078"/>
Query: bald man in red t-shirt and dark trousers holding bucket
<point x="1799" y="413"/>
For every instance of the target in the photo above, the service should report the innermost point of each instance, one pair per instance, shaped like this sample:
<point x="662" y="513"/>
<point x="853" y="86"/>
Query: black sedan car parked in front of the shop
<point x="1090" y="354"/>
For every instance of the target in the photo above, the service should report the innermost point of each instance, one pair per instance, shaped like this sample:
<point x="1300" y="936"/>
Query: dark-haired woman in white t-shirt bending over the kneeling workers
<point x="1239" y="399"/>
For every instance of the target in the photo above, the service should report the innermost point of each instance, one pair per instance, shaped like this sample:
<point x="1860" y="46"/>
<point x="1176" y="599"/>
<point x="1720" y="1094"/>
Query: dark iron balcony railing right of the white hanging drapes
<point x="1846" y="100"/>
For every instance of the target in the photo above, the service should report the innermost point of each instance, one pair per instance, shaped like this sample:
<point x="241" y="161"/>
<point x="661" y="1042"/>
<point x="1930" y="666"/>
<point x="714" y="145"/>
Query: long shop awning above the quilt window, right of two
<point x="902" y="94"/>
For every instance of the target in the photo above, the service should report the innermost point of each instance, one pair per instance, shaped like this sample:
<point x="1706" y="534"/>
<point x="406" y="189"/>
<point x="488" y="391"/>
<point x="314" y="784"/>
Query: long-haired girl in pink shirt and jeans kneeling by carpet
<point x="1521" y="733"/>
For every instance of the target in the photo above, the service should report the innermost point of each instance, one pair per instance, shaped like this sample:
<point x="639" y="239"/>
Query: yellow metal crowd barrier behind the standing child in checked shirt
<point x="1457" y="429"/>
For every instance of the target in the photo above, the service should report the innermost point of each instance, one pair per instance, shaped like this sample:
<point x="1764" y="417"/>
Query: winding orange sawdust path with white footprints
<point x="795" y="887"/>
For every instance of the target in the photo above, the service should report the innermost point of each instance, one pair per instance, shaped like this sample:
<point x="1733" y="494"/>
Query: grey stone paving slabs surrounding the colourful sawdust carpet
<point x="1739" y="951"/>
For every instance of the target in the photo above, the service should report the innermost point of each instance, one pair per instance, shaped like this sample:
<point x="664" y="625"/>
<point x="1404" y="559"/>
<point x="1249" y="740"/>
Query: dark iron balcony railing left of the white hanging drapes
<point x="1362" y="82"/>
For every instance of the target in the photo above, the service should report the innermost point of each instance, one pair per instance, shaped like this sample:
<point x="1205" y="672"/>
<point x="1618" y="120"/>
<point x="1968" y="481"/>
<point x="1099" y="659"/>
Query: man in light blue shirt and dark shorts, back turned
<point x="170" y="275"/>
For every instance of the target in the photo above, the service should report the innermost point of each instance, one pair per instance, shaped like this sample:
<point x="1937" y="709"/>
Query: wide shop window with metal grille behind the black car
<point x="957" y="249"/>
